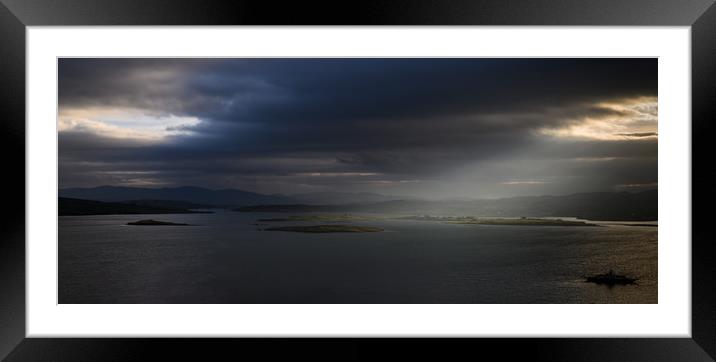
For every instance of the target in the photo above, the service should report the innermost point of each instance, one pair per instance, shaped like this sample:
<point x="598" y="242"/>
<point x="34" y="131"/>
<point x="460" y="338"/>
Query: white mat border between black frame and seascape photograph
<point x="670" y="317"/>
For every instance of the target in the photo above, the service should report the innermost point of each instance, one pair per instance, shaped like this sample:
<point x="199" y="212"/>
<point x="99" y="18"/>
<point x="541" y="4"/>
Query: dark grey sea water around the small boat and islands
<point x="226" y="259"/>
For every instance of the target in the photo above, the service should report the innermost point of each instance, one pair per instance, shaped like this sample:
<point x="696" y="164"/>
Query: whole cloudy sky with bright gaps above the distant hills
<point x="435" y="128"/>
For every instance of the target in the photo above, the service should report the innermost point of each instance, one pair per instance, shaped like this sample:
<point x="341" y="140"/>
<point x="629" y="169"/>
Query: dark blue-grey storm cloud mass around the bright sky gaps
<point x="400" y="118"/>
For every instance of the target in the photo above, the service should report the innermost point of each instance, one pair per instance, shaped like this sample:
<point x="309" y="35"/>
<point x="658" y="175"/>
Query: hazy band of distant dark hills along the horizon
<point x="593" y="206"/>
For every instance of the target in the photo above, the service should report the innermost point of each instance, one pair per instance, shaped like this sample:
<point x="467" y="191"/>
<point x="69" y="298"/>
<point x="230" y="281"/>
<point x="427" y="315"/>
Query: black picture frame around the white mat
<point x="16" y="15"/>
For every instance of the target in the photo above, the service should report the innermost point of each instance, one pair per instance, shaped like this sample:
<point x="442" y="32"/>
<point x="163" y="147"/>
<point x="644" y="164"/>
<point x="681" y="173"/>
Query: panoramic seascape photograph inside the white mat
<point x="359" y="180"/>
